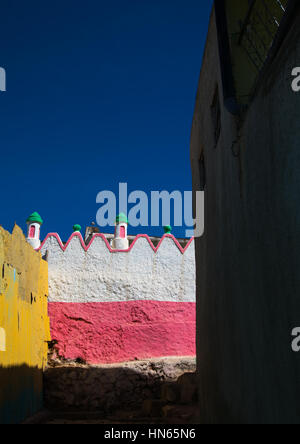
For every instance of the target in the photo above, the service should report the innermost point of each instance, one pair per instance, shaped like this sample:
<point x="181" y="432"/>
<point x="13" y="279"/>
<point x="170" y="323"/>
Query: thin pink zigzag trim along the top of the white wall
<point x="86" y="247"/>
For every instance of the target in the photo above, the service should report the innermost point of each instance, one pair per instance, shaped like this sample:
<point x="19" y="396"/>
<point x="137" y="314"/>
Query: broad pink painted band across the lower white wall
<point x="110" y="332"/>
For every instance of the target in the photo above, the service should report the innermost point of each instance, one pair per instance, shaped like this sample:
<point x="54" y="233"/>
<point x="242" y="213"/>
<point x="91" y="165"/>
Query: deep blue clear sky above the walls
<point x="97" y="93"/>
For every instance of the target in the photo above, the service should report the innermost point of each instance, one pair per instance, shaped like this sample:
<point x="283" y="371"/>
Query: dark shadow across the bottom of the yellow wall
<point x="21" y="393"/>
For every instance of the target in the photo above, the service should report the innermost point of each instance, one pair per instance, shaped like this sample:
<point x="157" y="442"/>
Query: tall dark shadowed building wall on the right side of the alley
<point x="248" y="262"/>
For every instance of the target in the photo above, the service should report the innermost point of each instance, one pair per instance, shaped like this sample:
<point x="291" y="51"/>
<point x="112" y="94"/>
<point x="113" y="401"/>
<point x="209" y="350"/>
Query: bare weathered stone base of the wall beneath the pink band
<point x="116" y="390"/>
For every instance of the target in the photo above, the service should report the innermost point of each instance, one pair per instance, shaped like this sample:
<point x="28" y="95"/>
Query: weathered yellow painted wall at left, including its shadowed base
<point x="24" y="327"/>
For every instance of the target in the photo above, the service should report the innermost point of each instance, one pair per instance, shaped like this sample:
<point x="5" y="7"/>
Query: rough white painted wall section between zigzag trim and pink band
<point x="101" y="276"/>
